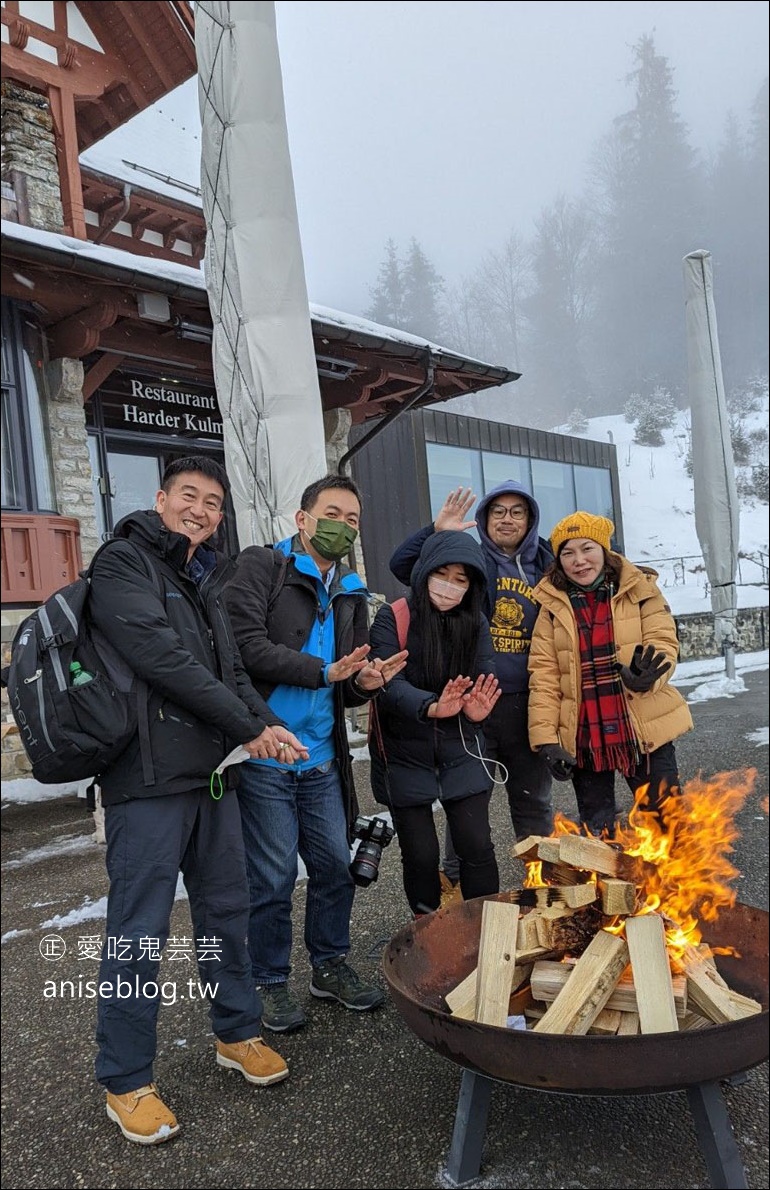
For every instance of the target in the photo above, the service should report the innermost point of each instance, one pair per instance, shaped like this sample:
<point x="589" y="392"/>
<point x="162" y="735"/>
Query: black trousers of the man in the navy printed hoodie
<point x="529" y="785"/>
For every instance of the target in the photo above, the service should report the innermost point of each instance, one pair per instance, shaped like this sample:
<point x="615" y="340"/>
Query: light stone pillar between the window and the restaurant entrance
<point x="70" y="450"/>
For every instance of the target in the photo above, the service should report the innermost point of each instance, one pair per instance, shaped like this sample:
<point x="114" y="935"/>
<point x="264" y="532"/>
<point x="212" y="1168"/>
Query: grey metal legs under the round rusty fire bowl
<point x="716" y="1137"/>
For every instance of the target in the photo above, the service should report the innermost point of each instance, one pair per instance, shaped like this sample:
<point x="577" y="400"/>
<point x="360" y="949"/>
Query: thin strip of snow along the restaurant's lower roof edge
<point x="189" y="275"/>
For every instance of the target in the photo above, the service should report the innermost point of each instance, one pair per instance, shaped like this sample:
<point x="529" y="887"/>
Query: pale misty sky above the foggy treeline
<point x="456" y="122"/>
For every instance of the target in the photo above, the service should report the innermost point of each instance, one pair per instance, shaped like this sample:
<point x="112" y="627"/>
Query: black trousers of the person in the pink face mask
<point x="468" y="821"/>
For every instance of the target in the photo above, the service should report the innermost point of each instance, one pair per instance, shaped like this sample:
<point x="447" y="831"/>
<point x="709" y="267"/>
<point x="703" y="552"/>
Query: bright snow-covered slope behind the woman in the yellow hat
<point x="659" y="518"/>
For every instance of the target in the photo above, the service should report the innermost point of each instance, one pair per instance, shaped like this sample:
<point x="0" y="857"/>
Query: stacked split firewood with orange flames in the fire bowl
<point x="612" y="929"/>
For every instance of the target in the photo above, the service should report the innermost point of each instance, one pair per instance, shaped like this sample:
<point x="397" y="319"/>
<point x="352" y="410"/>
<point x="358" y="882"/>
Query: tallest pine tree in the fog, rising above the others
<point x="646" y="180"/>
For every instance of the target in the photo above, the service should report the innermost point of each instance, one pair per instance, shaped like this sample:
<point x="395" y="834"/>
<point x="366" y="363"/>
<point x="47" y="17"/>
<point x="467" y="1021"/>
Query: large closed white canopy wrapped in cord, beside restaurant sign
<point x="265" y="364"/>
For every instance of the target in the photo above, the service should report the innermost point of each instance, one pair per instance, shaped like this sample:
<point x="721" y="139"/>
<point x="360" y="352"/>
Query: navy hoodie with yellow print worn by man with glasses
<point x="512" y="609"/>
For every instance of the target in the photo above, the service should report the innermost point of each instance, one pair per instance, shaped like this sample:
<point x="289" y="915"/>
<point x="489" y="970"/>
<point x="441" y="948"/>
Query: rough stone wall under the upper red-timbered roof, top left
<point x="29" y="148"/>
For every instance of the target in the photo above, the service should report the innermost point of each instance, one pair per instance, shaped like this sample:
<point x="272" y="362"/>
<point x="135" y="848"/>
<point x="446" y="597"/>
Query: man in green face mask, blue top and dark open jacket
<point x="299" y="616"/>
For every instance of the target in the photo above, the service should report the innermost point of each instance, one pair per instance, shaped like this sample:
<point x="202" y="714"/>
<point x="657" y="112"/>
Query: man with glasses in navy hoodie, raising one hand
<point x="508" y="521"/>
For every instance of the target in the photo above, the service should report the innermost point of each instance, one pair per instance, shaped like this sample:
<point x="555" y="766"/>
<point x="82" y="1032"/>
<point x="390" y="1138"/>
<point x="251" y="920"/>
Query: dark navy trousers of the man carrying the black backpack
<point x="149" y="842"/>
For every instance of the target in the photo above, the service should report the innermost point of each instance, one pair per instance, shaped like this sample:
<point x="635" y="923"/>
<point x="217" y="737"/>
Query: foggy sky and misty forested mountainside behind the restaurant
<point x="522" y="180"/>
